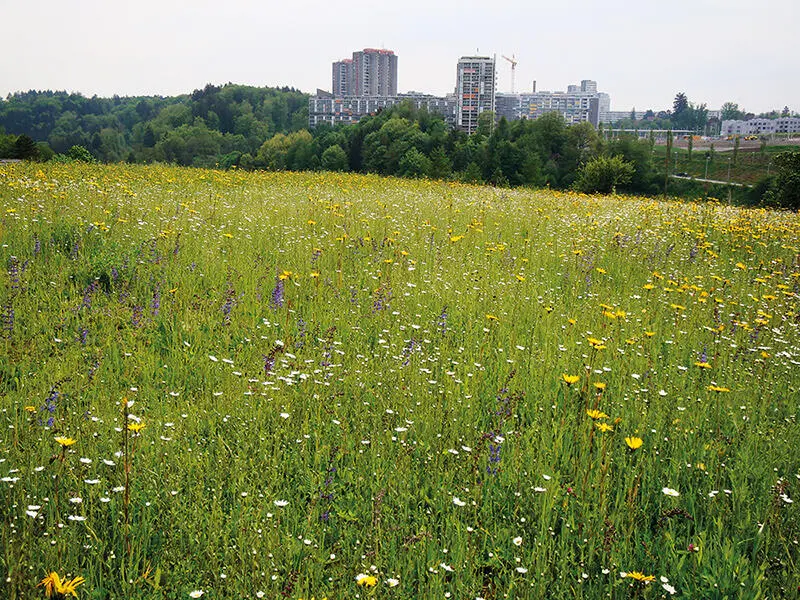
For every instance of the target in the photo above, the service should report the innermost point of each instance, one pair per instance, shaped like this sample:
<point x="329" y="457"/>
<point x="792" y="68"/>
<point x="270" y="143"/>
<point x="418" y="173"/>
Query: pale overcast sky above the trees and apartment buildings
<point x="642" y="53"/>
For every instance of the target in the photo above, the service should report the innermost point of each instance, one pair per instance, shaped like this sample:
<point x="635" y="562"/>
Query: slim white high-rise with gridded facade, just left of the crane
<point x="475" y="85"/>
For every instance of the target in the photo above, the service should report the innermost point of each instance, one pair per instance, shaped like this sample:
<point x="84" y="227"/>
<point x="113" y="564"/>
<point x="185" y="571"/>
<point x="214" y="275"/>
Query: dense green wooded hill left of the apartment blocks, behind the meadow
<point x="212" y="126"/>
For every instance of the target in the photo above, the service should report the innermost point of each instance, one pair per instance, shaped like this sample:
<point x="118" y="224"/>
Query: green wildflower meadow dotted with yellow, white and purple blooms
<point x="297" y="385"/>
